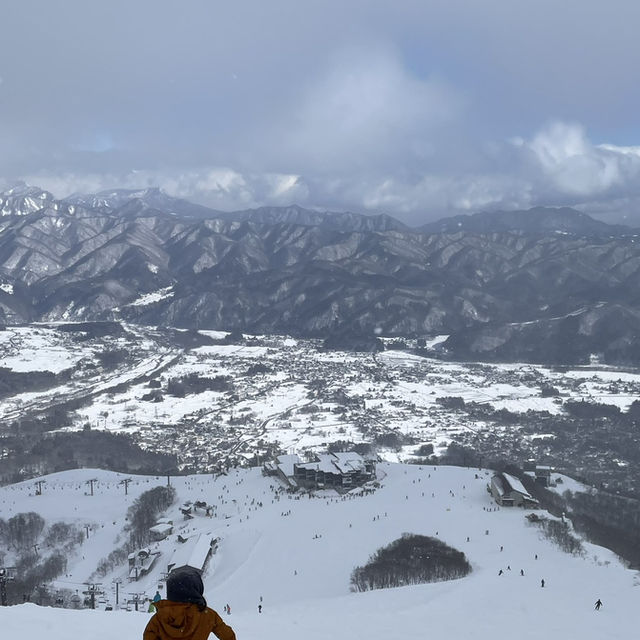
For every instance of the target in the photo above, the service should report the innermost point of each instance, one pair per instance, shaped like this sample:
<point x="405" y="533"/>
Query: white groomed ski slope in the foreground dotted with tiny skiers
<point x="297" y="553"/>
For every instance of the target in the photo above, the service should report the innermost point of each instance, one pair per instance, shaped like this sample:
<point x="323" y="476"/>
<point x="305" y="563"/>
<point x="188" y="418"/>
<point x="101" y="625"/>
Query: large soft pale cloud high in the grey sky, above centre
<point x="366" y="110"/>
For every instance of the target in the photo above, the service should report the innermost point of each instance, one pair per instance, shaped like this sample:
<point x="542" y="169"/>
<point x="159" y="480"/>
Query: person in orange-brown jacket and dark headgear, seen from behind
<point x="184" y="614"/>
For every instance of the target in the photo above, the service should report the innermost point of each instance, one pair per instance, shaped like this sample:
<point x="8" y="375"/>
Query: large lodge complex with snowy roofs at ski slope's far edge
<point x="342" y="470"/>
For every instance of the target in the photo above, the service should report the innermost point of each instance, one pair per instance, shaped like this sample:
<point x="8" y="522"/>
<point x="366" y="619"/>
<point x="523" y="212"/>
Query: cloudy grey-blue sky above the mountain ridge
<point x="419" y="109"/>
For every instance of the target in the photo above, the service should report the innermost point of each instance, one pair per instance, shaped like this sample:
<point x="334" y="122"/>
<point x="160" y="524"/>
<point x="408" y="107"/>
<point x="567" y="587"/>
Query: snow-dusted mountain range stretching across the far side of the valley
<point x="143" y="256"/>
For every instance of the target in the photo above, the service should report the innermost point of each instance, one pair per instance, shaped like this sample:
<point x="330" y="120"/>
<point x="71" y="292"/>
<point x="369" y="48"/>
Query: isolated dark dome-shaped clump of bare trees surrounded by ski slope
<point x="412" y="559"/>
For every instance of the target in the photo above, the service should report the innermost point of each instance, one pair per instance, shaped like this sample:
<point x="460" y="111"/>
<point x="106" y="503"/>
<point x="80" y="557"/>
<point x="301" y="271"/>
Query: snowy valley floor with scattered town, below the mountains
<point x="274" y="380"/>
